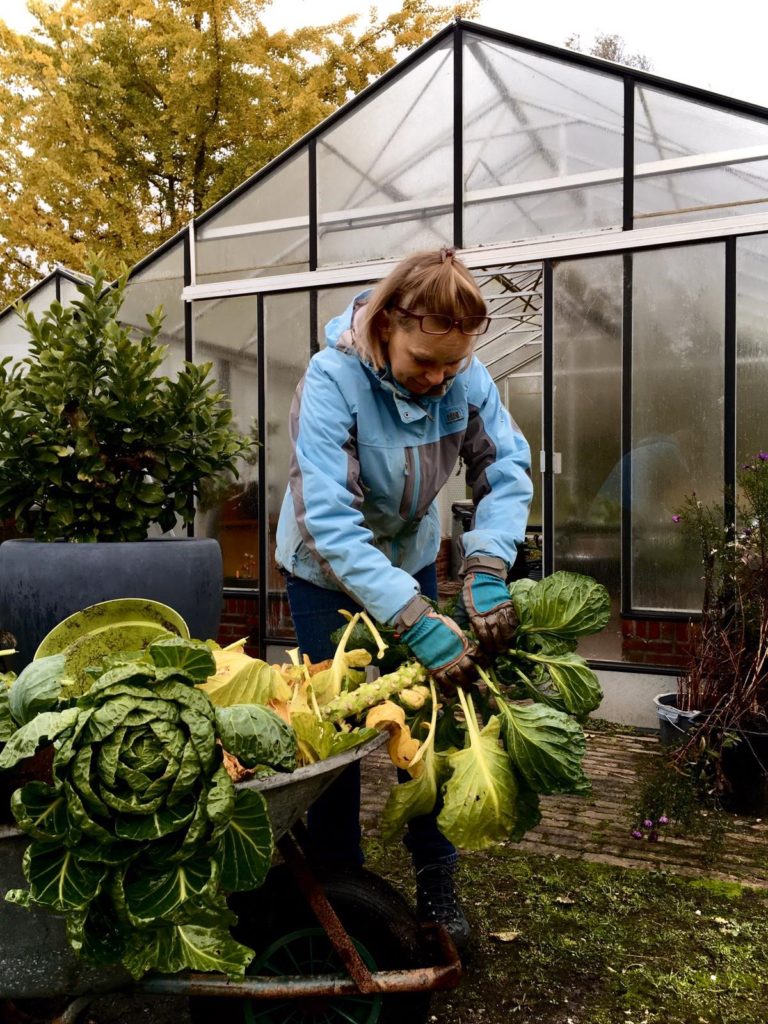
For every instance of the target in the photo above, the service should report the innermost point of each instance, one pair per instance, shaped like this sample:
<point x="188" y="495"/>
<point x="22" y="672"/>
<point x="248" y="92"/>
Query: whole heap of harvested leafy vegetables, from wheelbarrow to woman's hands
<point x="143" y="833"/>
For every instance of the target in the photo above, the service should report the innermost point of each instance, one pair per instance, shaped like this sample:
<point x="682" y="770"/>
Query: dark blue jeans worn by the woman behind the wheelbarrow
<point x="334" y="820"/>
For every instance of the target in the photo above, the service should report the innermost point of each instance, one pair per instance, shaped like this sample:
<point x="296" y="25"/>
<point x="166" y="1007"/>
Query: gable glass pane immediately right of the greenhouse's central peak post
<point x="543" y="145"/>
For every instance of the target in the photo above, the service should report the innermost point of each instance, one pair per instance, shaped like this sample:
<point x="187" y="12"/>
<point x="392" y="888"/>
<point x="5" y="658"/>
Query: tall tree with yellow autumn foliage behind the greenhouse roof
<point x="120" y="120"/>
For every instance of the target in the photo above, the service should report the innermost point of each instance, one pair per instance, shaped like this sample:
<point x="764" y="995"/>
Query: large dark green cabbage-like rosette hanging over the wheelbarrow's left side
<point x="142" y="833"/>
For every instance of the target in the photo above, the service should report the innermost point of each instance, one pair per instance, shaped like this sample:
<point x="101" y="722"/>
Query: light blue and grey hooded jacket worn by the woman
<point x="369" y="459"/>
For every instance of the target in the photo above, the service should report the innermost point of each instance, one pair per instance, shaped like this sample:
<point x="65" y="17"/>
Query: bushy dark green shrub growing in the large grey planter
<point x="96" y="444"/>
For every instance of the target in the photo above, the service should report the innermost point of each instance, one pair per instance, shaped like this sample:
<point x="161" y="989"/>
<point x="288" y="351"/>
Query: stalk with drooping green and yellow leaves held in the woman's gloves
<point x="495" y="750"/>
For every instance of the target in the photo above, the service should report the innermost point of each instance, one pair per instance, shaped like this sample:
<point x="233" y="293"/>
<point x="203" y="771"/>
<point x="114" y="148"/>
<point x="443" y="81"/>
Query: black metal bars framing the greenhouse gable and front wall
<point x="631" y="78"/>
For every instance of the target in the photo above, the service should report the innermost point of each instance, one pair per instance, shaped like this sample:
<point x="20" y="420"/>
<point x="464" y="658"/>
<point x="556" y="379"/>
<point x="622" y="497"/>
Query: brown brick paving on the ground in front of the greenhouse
<point x="599" y="828"/>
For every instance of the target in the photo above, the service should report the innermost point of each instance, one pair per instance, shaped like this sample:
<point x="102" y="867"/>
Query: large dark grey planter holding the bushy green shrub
<point x="44" y="583"/>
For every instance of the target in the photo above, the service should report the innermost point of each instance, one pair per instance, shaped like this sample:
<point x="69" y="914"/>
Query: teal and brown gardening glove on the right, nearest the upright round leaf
<point x="486" y="603"/>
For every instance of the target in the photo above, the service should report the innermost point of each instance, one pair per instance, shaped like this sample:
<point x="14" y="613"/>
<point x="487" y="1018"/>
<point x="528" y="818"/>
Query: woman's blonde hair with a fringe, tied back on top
<point x="435" y="281"/>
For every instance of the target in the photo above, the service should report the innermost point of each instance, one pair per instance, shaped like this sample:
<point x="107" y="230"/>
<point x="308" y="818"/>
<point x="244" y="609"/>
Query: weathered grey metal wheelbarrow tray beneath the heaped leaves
<point x="36" y="960"/>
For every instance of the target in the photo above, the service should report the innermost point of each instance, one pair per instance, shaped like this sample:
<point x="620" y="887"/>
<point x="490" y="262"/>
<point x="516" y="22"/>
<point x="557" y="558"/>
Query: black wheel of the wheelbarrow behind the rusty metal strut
<point x="280" y="926"/>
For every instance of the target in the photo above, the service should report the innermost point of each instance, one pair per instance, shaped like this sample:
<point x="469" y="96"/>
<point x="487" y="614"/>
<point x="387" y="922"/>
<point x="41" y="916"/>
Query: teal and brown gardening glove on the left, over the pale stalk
<point x="439" y="644"/>
